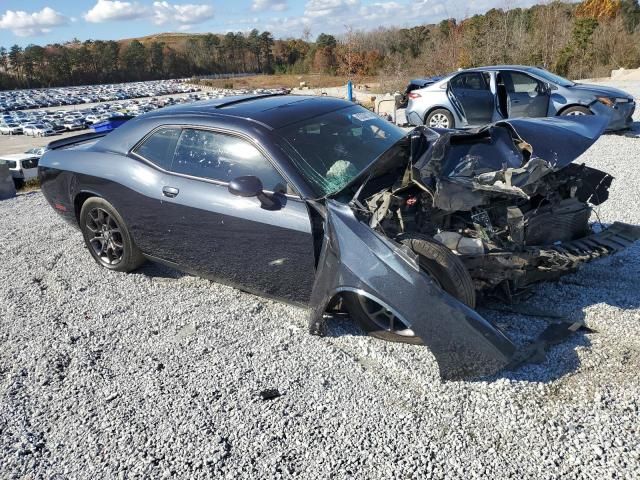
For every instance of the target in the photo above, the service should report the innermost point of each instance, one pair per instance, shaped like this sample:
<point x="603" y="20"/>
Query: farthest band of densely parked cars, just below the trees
<point x="56" y="97"/>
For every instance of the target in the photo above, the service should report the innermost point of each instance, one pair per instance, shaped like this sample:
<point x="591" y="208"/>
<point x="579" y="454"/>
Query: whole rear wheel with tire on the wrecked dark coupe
<point x="107" y="237"/>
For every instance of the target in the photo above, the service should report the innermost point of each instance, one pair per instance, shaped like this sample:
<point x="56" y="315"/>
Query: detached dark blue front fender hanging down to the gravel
<point x="355" y="258"/>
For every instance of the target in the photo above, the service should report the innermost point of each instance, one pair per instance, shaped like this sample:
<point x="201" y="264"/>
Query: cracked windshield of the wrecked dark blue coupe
<point x="332" y="149"/>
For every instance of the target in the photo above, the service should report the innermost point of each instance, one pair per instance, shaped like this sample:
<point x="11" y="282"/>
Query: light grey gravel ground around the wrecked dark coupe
<point x="157" y="374"/>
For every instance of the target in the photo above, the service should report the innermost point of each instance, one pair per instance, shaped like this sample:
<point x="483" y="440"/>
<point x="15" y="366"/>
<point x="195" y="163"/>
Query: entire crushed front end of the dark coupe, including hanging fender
<point x="506" y="199"/>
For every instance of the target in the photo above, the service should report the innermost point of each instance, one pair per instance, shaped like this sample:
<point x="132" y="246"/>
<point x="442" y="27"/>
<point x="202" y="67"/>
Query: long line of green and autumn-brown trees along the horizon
<point x="576" y="40"/>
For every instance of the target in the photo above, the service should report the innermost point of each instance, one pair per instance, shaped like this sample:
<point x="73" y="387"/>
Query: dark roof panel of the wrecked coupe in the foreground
<point x="274" y="111"/>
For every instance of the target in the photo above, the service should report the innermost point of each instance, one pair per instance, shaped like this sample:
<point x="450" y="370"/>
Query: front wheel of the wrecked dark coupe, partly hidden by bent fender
<point x="444" y="268"/>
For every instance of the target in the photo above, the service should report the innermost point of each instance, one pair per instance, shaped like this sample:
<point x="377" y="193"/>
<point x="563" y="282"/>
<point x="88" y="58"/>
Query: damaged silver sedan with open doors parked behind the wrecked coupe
<point x="479" y="96"/>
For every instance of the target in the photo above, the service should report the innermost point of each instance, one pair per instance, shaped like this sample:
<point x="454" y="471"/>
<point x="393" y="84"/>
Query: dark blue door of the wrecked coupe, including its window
<point x="233" y="239"/>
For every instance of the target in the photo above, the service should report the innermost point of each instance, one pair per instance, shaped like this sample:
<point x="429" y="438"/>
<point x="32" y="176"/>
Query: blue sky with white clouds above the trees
<point x="49" y="21"/>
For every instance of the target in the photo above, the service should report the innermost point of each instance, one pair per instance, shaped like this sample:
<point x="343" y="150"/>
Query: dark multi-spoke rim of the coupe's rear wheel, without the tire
<point x="105" y="237"/>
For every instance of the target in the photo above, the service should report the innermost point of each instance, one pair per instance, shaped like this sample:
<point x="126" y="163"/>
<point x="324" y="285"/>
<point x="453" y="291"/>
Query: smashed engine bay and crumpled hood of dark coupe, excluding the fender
<point x="511" y="215"/>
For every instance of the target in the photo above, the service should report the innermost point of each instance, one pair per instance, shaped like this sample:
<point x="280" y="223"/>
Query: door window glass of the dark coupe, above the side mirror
<point x="205" y="154"/>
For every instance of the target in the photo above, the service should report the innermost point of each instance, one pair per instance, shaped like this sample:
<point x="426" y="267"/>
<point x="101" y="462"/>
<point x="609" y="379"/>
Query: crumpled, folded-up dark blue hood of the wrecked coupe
<point x="508" y="158"/>
